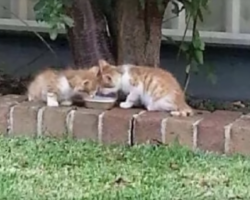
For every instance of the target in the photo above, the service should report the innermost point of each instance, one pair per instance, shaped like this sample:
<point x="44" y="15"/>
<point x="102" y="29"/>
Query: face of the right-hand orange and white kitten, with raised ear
<point x="109" y="78"/>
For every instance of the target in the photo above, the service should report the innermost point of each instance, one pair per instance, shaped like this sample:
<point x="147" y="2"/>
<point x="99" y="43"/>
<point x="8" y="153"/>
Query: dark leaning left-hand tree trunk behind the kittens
<point x="88" y="39"/>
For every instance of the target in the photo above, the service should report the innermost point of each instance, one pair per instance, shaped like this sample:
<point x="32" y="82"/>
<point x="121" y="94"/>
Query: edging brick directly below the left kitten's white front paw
<point x="54" y="121"/>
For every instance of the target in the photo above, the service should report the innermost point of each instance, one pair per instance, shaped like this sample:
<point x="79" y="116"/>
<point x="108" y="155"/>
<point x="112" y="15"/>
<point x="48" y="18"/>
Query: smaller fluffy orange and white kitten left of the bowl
<point x="58" y="87"/>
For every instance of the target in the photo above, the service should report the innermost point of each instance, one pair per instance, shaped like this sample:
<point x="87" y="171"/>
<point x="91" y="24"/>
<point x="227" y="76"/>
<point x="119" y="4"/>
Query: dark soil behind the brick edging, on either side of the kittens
<point x="18" y="85"/>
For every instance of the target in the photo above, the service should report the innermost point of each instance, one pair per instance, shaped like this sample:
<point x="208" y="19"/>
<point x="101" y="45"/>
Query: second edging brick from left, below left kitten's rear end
<point x="25" y="118"/>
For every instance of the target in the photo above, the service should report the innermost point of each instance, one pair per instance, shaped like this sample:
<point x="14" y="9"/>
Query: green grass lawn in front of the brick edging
<point x="65" y="169"/>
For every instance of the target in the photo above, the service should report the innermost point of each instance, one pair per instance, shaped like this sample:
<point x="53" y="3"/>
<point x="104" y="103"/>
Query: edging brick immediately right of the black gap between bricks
<point x="148" y="127"/>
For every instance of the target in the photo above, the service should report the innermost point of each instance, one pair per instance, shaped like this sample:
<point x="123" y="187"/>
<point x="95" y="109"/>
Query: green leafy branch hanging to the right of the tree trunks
<point x="193" y="50"/>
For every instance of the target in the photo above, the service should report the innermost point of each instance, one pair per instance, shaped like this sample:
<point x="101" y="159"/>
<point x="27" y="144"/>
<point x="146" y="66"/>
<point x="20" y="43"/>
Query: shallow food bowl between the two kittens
<point x="100" y="102"/>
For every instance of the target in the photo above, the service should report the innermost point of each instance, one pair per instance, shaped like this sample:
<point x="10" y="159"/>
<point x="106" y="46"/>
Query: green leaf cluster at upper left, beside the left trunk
<point x="53" y="13"/>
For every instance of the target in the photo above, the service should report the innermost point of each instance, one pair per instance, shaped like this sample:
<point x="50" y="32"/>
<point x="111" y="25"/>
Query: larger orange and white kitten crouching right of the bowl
<point x="155" y="88"/>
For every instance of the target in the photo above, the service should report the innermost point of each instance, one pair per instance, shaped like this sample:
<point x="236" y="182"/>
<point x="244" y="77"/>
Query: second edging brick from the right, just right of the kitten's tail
<point x="211" y="130"/>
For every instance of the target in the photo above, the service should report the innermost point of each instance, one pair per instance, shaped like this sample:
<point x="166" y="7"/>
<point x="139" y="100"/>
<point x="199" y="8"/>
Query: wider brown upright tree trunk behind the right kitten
<point x="139" y="31"/>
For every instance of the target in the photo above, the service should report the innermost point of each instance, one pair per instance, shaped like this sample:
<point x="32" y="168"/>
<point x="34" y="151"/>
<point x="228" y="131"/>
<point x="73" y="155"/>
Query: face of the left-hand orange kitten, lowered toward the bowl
<point x="87" y="83"/>
